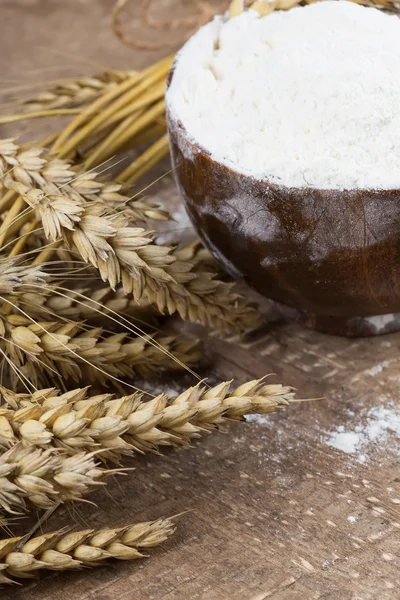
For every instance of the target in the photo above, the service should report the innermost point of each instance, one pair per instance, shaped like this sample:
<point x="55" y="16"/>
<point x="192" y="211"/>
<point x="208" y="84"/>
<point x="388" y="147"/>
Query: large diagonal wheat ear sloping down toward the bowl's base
<point x="122" y="253"/>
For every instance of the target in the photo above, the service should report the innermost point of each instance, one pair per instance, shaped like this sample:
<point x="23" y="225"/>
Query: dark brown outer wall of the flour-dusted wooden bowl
<point x="327" y="252"/>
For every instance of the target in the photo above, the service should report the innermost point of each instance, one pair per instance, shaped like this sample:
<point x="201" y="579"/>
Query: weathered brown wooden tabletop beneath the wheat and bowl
<point x="270" y="501"/>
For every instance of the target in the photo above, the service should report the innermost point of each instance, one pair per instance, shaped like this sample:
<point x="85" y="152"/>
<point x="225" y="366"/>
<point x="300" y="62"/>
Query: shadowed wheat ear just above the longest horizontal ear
<point x="75" y="352"/>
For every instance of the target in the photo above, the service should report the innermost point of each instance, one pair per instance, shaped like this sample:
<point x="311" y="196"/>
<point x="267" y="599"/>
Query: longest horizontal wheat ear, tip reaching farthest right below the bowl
<point x="118" y="426"/>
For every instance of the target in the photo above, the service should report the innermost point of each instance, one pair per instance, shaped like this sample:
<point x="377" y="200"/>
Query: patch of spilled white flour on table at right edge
<point x="380" y="428"/>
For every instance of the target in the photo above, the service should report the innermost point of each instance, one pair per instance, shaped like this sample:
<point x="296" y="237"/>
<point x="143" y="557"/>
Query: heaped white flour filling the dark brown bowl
<point x="308" y="97"/>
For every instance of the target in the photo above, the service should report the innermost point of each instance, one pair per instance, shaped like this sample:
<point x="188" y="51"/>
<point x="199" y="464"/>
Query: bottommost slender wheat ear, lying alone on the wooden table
<point x="58" y="551"/>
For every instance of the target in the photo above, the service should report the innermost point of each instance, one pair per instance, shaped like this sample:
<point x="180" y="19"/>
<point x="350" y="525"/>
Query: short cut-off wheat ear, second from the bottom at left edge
<point x="45" y="477"/>
